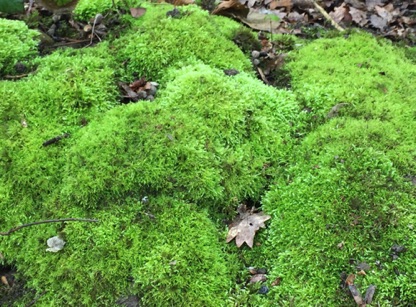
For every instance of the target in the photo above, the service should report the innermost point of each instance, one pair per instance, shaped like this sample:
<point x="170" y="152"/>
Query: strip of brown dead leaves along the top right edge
<point x="393" y="19"/>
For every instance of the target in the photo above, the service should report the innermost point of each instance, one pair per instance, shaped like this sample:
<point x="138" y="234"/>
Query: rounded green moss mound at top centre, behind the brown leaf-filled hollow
<point x="162" y="42"/>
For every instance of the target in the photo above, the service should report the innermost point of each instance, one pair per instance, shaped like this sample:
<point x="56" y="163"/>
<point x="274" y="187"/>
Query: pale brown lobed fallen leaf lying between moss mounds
<point x="244" y="227"/>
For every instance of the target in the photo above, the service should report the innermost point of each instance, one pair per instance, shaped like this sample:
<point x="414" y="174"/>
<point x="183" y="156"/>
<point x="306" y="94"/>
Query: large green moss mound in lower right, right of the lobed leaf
<point x="335" y="195"/>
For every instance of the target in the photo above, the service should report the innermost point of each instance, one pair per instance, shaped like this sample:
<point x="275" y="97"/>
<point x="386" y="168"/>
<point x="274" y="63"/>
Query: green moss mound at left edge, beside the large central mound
<point x="68" y="88"/>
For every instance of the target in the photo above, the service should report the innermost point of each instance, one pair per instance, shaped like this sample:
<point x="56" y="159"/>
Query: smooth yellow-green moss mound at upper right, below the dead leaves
<point x="375" y="79"/>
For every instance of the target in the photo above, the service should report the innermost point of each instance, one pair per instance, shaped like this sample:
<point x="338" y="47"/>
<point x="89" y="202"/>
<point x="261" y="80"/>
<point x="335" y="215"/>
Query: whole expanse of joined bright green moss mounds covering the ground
<point x="206" y="143"/>
